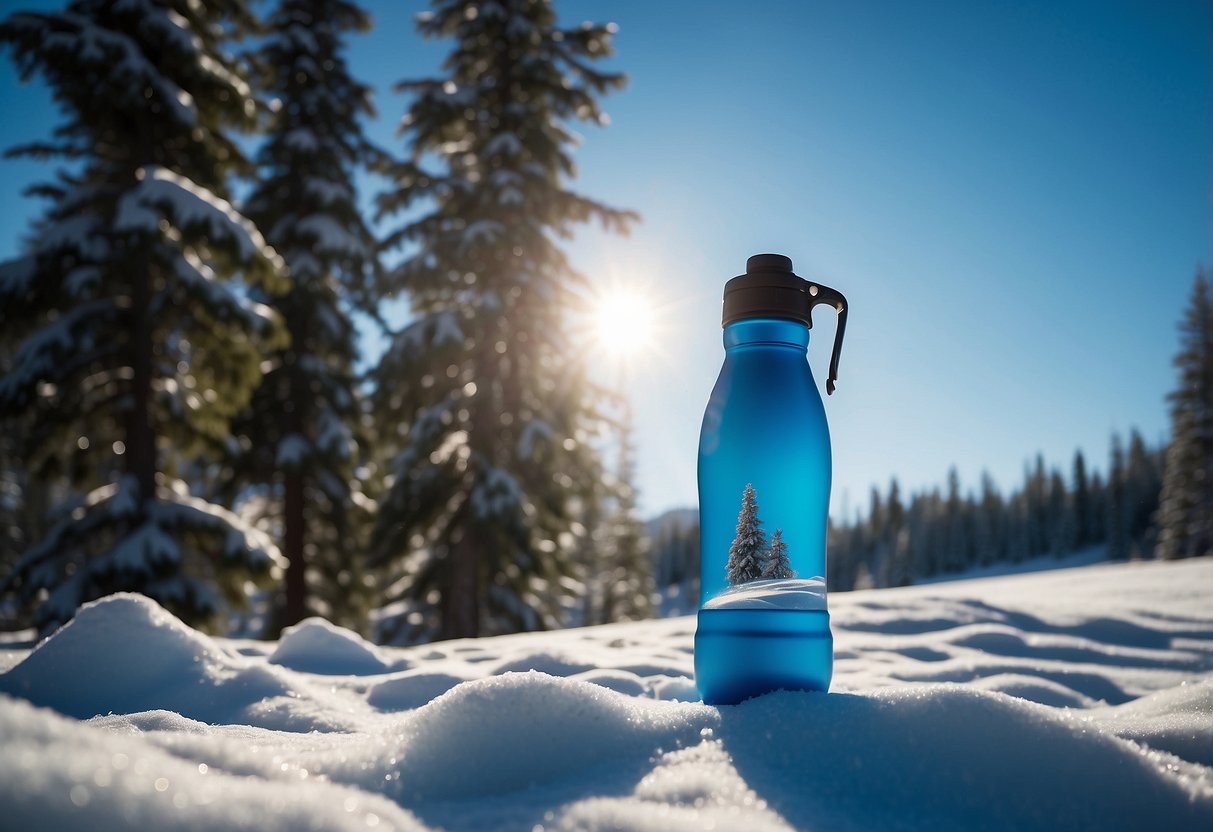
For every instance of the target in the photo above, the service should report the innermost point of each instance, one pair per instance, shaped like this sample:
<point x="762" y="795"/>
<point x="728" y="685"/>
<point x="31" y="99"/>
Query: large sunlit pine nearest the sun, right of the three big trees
<point x="486" y="392"/>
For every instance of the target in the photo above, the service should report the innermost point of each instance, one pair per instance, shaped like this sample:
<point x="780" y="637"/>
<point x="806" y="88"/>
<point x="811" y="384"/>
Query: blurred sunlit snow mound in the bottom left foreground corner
<point x="58" y="774"/>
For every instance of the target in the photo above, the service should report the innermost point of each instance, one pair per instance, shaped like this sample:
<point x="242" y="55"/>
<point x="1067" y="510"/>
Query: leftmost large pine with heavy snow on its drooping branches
<point x="133" y="350"/>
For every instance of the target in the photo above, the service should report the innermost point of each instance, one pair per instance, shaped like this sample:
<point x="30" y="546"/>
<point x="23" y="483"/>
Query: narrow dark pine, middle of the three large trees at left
<point x="298" y="438"/>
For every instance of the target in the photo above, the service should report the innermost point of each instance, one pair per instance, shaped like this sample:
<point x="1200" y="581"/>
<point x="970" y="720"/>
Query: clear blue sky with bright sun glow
<point x="1013" y="197"/>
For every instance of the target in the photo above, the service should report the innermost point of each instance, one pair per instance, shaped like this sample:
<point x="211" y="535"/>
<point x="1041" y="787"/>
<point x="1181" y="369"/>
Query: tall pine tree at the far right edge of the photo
<point x="1186" y="511"/>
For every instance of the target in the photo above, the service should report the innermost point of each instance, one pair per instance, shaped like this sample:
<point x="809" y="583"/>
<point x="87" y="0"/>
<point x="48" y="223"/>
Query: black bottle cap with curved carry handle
<point x="770" y="289"/>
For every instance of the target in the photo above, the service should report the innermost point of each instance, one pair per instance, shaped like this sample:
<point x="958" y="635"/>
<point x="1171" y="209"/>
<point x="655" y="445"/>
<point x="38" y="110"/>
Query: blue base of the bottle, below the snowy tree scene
<point x="747" y="653"/>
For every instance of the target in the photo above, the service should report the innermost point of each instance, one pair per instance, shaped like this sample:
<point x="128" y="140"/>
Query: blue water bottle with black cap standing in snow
<point x="765" y="494"/>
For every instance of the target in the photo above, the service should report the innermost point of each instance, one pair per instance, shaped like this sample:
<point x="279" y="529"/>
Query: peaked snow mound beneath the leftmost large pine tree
<point x="126" y="654"/>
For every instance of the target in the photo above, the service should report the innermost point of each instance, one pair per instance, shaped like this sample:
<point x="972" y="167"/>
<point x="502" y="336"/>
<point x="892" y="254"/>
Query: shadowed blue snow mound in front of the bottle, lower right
<point x="892" y="759"/>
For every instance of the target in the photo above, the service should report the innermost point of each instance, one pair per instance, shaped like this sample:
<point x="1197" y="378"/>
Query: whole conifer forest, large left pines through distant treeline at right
<point x="186" y="413"/>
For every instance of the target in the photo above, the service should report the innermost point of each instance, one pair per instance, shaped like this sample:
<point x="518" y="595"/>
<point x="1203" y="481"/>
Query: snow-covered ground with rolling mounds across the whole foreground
<point x="1079" y="699"/>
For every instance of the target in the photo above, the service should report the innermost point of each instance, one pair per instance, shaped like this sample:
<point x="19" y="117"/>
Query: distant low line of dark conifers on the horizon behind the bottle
<point x="939" y="532"/>
